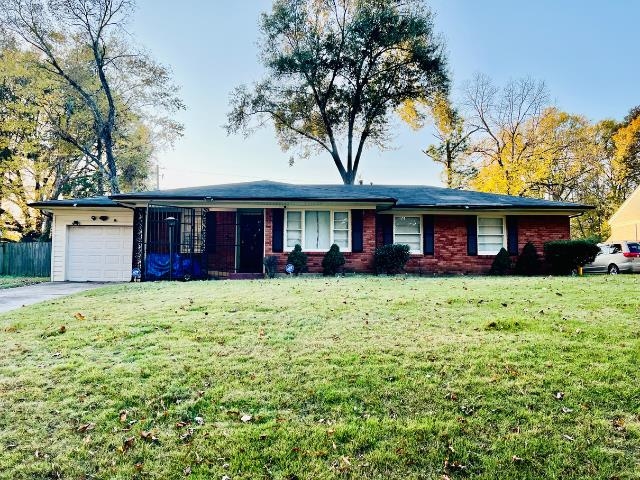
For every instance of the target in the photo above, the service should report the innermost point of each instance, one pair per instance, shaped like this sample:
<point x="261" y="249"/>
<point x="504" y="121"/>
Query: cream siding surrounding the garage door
<point x="64" y="217"/>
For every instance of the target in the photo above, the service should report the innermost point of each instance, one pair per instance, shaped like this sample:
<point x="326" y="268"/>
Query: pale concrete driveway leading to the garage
<point x="13" y="298"/>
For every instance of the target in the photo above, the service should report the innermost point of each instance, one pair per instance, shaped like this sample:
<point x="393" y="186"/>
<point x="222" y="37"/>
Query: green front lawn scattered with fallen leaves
<point x="385" y="378"/>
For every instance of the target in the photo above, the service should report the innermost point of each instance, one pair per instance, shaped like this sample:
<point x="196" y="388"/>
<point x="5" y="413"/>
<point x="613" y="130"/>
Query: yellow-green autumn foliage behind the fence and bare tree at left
<point x="37" y="115"/>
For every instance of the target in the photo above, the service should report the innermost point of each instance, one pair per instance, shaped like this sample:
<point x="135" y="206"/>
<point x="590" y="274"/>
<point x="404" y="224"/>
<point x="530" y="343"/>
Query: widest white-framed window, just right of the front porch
<point x="317" y="230"/>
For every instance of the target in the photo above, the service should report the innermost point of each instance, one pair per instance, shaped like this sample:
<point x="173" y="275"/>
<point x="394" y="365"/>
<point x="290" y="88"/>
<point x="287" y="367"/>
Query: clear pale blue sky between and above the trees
<point x="584" y="50"/>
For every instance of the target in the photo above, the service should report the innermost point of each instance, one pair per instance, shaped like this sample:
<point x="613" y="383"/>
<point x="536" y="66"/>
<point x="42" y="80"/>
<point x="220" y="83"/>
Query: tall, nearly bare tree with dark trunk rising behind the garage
<point x="84" y="45"/>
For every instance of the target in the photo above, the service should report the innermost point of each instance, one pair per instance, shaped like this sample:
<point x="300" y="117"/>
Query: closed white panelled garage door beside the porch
<point x="99" y="253"/>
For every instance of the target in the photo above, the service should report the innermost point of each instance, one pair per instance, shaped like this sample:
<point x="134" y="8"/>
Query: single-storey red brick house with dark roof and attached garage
<point x="225" y="231"/>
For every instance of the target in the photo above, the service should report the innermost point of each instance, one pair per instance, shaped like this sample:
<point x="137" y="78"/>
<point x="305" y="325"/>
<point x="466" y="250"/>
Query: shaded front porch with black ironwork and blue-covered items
<point x="183" y="243"/>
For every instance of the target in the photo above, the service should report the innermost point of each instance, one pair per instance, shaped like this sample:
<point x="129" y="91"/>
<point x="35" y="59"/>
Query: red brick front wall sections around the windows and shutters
<point x="450" y="244"/>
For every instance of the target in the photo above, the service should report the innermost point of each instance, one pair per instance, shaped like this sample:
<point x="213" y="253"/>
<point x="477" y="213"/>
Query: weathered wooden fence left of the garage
<point x="32" y="259"/>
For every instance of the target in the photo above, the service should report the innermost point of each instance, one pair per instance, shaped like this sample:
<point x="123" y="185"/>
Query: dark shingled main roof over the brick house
<point x="400" y="196"/>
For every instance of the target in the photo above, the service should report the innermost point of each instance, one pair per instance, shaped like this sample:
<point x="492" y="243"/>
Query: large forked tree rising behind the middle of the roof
<point x="336" y="71"/>
